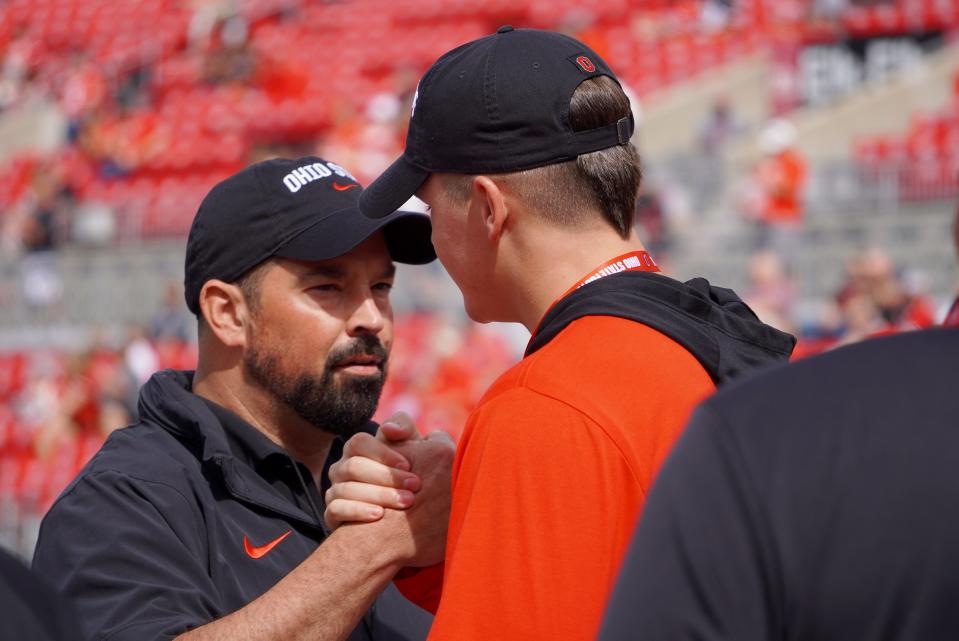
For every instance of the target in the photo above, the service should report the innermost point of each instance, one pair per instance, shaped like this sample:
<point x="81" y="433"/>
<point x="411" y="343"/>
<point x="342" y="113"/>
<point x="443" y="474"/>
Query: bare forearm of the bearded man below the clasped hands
<point x="323" y="599"/>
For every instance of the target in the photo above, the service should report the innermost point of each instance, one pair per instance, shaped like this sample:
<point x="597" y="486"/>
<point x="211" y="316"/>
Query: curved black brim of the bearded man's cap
<point x="407" y="236"/>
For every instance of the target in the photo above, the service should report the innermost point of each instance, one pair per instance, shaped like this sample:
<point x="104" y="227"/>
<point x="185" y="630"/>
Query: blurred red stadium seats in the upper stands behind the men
<point x="315" y="62"/>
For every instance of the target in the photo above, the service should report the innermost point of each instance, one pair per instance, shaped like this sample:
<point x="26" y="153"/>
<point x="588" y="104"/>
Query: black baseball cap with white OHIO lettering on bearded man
<point x="304" y="208"/>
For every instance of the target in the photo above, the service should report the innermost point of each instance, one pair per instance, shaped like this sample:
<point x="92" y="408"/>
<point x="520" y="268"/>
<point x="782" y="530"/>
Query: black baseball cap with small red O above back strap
<point x="496" y="105"/>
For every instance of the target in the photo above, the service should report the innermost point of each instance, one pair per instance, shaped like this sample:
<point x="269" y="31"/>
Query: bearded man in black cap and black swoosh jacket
<point x="204" y="519"/>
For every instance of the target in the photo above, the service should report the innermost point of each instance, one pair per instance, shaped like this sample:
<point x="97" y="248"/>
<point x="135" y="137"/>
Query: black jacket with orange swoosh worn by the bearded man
<point x="150" y="539"/>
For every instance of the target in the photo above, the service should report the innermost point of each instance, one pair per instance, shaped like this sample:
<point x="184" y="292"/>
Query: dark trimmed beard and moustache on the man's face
<point x="339" y="407"/>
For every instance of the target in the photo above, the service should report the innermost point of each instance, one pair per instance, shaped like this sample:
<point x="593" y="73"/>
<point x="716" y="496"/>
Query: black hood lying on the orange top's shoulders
<point x="712" y="323"/>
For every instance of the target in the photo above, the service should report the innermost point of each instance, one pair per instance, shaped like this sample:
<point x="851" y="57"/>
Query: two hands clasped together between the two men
<point x="398" y="481"/>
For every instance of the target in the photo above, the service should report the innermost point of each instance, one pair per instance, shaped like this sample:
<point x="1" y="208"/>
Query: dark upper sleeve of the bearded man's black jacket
<point x="130" y="556"/>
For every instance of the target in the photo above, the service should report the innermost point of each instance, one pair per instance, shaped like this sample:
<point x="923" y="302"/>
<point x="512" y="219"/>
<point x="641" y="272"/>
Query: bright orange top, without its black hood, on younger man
<point x="550" y="474"/>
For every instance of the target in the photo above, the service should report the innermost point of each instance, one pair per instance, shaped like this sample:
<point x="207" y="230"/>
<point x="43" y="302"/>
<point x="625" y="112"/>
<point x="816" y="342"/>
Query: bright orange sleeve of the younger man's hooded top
<point x="543" y="508"/>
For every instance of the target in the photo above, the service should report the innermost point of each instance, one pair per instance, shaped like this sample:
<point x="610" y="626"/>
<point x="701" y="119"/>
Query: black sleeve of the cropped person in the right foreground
<point x="700" y="566"/>
